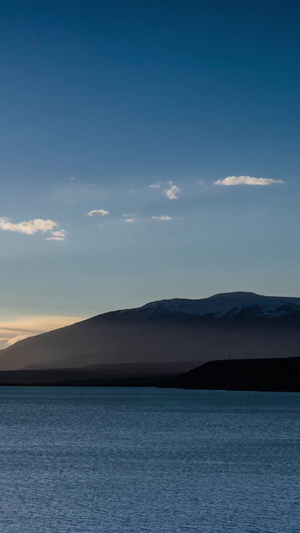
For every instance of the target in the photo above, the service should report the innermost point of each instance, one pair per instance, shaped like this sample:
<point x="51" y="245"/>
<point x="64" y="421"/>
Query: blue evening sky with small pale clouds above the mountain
<point x="148" y="150"/>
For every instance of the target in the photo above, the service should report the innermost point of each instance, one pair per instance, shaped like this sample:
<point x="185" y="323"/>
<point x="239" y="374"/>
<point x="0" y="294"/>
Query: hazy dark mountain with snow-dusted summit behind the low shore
<point x="179" y="333"/>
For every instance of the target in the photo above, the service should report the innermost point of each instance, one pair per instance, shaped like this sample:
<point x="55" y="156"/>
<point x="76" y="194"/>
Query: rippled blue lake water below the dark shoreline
<point x="134" y="460"/>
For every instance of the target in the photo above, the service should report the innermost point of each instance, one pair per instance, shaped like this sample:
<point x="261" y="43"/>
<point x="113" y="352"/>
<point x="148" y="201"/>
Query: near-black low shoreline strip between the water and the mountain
<point x="282" y="374"/>
